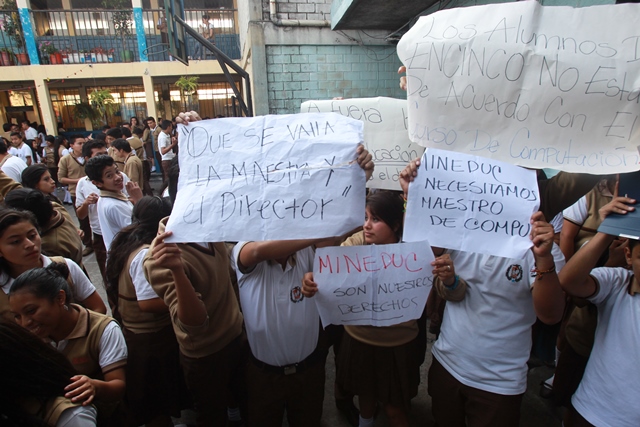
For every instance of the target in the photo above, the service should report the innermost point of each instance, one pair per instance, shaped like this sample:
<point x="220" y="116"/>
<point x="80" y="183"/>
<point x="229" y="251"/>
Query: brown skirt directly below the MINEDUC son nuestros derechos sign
<point x="391" y="375"/>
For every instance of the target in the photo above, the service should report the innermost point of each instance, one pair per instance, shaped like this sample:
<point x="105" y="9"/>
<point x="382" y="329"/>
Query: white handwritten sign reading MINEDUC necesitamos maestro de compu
<point x="472" y="204"/>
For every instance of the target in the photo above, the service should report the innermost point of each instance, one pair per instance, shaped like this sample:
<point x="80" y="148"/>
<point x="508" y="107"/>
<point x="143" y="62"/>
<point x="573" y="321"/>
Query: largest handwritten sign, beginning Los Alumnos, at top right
<point x="554" y="87"/>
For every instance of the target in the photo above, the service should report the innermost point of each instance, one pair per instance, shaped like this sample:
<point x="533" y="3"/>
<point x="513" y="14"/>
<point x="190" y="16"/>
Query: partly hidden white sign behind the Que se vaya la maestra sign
<point x="385" y="134"/>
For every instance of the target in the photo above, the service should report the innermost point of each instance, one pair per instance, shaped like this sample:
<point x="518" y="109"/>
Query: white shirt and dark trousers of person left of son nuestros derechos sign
<point x="283" y="330"/>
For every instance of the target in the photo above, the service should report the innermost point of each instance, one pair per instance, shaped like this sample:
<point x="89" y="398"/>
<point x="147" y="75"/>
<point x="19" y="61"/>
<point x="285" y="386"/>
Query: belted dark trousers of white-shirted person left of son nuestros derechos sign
<point x="301" y="394"/>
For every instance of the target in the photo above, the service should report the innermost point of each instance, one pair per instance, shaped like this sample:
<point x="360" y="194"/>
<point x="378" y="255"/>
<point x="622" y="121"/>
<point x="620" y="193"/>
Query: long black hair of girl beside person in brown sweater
<point x="145" y="217"/>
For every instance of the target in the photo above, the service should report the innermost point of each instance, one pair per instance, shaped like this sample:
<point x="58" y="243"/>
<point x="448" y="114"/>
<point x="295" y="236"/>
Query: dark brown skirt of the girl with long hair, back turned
<point x="155" y="383"/>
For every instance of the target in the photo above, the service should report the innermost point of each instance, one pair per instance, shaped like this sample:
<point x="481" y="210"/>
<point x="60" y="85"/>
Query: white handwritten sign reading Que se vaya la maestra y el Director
<point x="269" y="177"/>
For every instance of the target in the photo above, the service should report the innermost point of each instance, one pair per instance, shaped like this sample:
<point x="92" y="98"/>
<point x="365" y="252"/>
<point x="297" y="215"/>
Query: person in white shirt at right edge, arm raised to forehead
<point x="606" y="394"/>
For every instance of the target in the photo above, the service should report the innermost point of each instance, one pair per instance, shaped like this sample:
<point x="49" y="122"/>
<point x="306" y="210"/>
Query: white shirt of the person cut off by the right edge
<point x="607" y="394"/>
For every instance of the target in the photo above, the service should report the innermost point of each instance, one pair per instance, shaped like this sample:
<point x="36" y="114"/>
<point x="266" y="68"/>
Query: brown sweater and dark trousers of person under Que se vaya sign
<point x="213" y="353"/>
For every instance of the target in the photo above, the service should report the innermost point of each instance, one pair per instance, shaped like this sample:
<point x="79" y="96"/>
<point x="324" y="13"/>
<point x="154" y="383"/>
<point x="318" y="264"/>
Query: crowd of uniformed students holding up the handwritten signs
<point x="232" y="330"/>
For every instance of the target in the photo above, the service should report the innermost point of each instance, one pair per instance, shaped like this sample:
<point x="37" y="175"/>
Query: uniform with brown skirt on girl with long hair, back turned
<point x="155" y="385"/>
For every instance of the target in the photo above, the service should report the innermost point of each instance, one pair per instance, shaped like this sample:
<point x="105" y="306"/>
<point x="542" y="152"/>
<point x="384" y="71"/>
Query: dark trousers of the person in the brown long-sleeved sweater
<point x="212" y="379"/>
